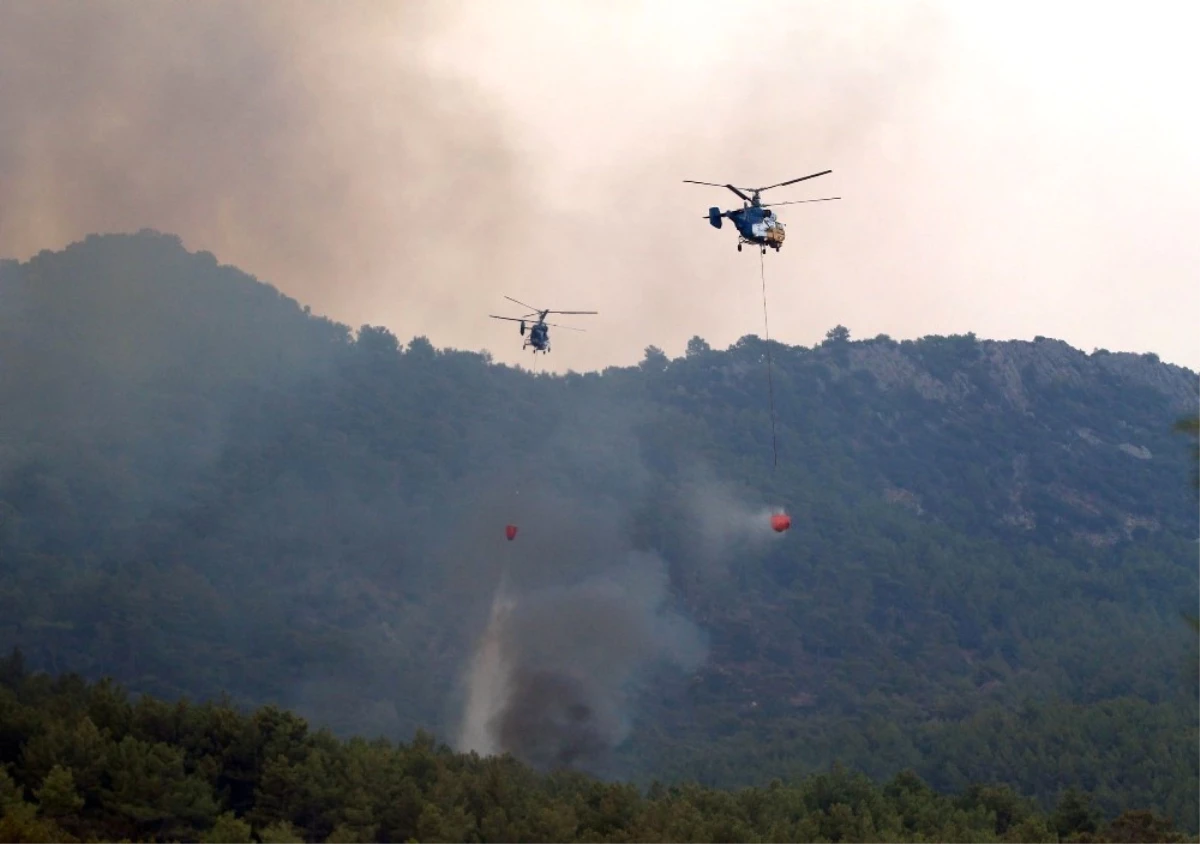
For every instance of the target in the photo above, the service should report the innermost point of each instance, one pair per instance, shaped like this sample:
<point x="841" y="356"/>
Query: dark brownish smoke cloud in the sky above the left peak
<point x="308" y="143"/>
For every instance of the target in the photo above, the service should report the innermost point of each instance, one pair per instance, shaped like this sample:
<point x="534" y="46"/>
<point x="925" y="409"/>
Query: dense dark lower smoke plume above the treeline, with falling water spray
<point x="555" y="674"/>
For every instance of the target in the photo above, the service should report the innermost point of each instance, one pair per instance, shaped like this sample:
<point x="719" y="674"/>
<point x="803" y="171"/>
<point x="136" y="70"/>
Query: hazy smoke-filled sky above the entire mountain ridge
<point x="1012" y="169"/>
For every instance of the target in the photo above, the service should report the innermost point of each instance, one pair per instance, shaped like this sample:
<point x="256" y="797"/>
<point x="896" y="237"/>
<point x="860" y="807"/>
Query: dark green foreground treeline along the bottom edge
<point x="85" y="763"/>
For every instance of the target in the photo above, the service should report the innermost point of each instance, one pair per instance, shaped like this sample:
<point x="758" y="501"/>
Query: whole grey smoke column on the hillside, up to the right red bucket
<point x="586" y="613"/>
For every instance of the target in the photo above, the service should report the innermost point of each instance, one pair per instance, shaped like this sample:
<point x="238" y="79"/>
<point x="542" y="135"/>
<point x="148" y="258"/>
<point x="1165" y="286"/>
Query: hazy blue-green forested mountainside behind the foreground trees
<point x="206" y="489"/>
